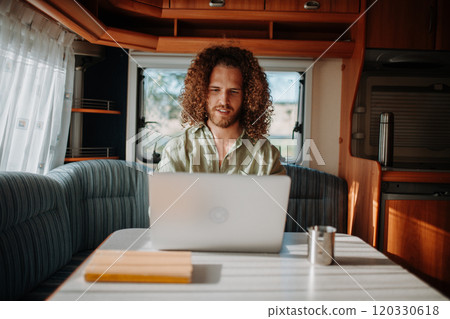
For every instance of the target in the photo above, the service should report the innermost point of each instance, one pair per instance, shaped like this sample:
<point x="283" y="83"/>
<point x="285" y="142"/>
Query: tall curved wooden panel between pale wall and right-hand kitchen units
<point x="363" y="176"/>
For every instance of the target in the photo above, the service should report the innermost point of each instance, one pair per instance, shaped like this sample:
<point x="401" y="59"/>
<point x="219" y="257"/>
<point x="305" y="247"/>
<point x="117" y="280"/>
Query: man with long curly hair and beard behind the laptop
<point x="227" y="104"/>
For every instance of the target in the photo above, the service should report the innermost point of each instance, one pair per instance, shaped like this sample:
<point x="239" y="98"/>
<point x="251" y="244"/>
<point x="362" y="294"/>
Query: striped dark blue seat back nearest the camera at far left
<point x="35" y="238"/>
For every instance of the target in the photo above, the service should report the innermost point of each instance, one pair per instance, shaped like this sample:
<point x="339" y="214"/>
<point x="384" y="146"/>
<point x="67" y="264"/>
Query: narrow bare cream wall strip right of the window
<point x="326" y="113"/>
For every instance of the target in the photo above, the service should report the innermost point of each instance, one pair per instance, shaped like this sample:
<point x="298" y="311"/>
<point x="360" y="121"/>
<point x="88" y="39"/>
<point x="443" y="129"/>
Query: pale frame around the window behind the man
<point x="138" y="59"/>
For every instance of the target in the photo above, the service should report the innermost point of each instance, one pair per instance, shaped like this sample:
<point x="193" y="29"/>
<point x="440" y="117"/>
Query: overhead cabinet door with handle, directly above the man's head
<point x="216" y="4"/>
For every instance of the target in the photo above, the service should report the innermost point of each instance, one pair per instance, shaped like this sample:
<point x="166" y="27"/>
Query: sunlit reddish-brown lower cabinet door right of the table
<point x="417" y="235"/>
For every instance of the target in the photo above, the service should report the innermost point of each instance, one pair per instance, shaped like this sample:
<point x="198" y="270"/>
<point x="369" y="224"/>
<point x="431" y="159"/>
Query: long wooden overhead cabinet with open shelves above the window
<point x="187" y="26"/>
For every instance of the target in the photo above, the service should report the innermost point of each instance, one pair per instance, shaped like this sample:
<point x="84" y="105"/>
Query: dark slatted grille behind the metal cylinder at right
<point x="421" y="115"/>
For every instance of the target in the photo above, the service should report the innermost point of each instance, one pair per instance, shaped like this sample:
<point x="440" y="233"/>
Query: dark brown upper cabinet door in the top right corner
<point x="401" y="24"/>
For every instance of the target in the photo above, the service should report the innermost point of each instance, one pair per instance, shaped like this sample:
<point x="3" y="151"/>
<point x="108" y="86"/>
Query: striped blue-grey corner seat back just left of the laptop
<point x="103" y="196"/>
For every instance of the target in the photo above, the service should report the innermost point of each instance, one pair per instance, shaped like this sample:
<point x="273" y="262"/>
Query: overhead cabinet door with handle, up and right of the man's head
<point x="336" y="6"/>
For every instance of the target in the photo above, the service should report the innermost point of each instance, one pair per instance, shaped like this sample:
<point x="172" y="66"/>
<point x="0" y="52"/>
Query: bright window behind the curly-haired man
<point x="159" y="111"/>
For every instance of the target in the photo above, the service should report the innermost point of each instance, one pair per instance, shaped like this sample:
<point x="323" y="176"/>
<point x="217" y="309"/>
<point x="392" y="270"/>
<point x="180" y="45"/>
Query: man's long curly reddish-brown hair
<point x="256" y="109"/>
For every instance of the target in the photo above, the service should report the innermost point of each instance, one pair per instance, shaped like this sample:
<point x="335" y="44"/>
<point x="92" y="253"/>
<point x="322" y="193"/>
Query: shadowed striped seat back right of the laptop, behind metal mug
<point x="316" y="198"/>
